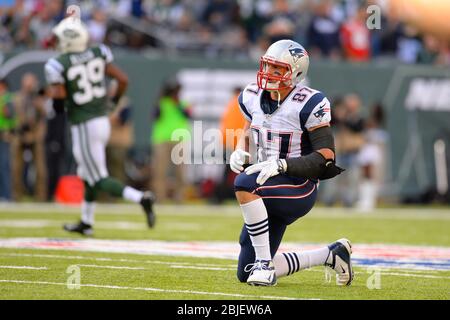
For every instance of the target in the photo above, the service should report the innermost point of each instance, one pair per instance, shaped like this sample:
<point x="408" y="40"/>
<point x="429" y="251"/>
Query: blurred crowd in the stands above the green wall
<point x="234" y="28"/>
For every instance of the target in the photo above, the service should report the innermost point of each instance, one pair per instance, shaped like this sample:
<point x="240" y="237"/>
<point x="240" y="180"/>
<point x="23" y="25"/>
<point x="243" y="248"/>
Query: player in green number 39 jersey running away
<point x="76" y="78"/>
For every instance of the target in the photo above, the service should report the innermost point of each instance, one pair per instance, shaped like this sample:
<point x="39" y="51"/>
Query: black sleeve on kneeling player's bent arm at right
<point x="314" y="165"/>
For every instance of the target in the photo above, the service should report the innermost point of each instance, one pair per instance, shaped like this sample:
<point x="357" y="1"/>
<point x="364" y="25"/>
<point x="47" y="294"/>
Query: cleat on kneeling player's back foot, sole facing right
<point x="339" y="259"/>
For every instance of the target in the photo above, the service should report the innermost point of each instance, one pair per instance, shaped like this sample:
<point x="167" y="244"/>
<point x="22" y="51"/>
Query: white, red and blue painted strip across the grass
<point x="380" y="256"/>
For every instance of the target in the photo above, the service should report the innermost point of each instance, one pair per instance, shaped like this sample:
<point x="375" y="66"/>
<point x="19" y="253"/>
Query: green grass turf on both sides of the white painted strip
<point x="162" y="277"/>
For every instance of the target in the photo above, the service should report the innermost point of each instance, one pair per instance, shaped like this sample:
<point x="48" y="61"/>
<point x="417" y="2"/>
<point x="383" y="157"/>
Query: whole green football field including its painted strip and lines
<point x="191" y="254"/>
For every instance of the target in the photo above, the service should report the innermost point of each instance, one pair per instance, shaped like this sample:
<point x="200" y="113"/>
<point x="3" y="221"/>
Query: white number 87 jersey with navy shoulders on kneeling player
<point x="284" y="133"/>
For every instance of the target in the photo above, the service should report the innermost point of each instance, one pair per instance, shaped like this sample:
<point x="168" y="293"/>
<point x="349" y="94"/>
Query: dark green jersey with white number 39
<point x="83" y="75"/>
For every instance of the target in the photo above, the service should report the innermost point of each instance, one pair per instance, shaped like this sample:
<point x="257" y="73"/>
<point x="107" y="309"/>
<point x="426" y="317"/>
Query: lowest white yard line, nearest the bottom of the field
<point x="205" y="293"/>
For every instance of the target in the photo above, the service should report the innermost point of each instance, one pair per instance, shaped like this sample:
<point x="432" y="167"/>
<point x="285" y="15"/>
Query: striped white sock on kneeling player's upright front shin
<point x="257" y="224"/>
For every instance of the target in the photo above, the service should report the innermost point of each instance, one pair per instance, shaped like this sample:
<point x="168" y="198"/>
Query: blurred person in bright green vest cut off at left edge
<point x="7" y="124"/>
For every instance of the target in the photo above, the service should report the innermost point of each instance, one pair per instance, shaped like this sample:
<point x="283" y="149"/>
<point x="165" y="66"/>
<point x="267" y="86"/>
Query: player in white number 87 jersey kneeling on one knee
<point x="290" y="126"/>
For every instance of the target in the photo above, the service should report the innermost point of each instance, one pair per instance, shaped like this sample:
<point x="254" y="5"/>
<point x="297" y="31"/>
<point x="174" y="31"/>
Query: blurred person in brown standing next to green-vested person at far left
<point x="28" y="144"/>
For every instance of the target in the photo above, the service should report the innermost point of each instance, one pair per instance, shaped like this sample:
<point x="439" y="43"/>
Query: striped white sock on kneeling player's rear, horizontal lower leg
<point x="290" y="262"/>
